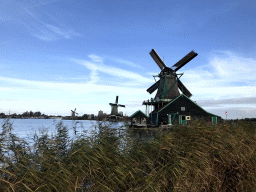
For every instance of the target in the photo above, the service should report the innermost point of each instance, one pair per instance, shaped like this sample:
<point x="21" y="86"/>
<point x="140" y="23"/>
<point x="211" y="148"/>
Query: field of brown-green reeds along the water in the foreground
<point x="198" y="157"/>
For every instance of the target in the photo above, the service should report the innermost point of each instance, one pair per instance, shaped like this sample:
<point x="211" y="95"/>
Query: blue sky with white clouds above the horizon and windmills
<point x="58" y="55"/>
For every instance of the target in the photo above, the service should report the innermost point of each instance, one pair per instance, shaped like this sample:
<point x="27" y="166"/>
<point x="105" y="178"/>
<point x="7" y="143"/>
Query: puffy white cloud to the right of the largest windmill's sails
<point x="225" y="69"/>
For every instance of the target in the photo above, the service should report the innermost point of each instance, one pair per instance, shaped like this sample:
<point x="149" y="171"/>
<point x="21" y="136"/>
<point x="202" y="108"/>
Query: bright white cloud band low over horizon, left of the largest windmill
<point x="59" y="98"/>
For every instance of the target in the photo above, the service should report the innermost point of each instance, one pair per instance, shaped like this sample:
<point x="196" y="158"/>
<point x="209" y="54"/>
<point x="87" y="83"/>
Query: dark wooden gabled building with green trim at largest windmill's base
<point x="181" y="110"/>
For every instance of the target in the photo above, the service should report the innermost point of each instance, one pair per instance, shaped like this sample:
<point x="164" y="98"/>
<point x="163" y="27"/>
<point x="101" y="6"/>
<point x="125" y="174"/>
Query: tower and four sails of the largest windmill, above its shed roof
<point x="169" y="84"/>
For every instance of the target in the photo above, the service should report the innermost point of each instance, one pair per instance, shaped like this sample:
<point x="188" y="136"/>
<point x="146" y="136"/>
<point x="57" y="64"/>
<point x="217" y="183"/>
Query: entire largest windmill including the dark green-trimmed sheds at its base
<point x="169" y="106"/>
